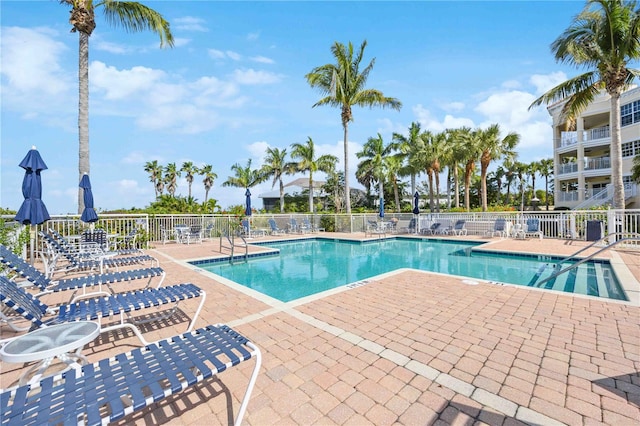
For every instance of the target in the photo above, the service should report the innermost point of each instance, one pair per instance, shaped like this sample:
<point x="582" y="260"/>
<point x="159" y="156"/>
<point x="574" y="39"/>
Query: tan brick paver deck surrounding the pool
<point x="407" y="348"/>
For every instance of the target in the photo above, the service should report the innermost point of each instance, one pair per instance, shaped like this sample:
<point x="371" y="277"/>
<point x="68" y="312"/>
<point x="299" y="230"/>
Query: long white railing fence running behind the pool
<point x="554" y="224"/>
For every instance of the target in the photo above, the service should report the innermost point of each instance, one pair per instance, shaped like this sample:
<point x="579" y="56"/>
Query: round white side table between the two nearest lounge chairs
<point x="62" y="341"/>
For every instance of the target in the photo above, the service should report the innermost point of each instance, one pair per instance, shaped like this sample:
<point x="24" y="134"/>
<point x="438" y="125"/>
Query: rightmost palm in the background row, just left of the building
<point x="492" y="148"/>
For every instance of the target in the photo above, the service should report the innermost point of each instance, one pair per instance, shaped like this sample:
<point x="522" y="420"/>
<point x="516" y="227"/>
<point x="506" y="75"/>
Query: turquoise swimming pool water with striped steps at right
<point x="306" y="267"/>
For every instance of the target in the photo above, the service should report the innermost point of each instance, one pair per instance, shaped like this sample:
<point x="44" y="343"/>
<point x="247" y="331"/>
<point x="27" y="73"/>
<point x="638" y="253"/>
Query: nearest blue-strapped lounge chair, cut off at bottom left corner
<point x="113" y="388"/>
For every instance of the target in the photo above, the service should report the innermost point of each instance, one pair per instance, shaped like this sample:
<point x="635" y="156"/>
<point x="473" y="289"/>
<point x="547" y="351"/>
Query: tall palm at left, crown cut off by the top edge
<point x="133" y="17"/>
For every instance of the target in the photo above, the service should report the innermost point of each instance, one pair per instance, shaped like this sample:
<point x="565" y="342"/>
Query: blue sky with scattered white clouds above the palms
<point x="234" y="85"/>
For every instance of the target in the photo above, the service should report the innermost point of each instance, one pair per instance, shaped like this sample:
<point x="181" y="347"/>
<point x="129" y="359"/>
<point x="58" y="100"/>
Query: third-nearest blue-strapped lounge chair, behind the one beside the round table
<point x="46" y="285"/>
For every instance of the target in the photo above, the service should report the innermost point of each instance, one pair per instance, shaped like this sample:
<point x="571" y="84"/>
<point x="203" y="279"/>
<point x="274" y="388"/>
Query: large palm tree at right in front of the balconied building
<point x="604" y="38"/>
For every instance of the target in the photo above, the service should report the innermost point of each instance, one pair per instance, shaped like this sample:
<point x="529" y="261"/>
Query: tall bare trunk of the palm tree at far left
<point x="83" y="112"/>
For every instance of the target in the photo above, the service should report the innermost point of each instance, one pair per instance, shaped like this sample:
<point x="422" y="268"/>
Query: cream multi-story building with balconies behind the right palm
<point x="581" y="152"/>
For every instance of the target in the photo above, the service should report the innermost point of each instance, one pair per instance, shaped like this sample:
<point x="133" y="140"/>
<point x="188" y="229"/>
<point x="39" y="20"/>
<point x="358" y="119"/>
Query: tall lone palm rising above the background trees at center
<point x="344" y="86"/>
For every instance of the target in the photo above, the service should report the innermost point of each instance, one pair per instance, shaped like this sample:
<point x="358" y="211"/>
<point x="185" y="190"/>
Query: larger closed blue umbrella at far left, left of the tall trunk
<point x="32" y="211"/>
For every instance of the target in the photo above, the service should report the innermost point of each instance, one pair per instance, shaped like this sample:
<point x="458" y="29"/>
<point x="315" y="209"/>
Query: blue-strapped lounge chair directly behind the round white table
<point x="30" y="307"/>
